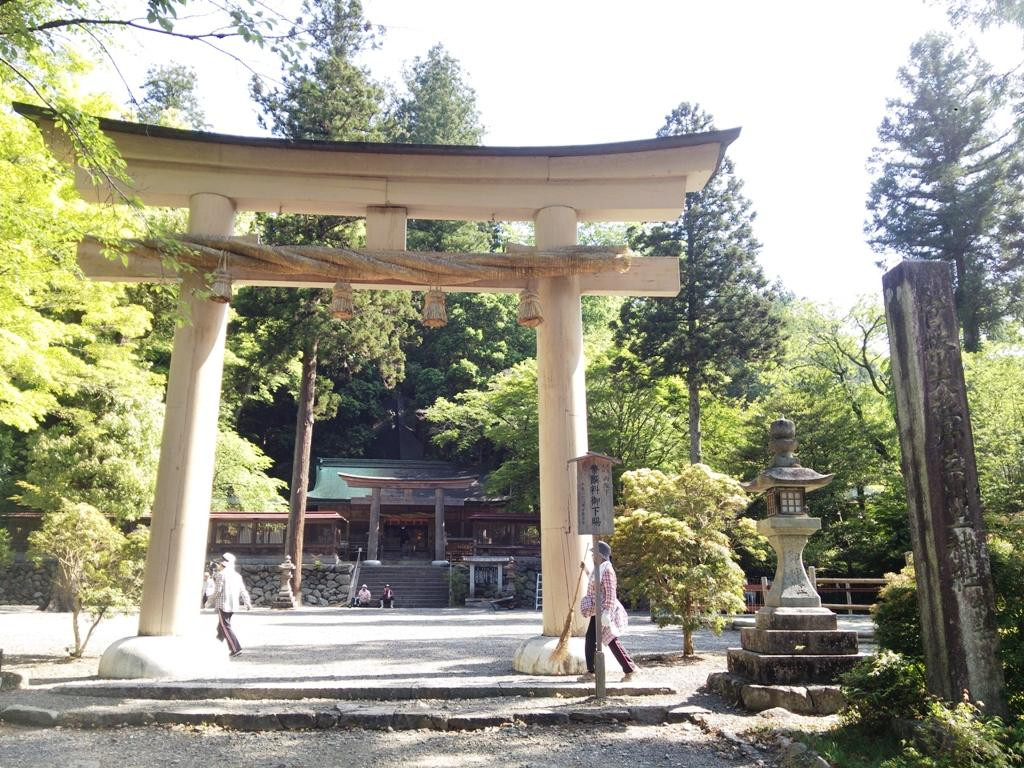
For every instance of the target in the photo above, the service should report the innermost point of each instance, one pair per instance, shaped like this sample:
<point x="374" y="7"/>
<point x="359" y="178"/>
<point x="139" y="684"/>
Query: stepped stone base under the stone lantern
<point x="790" y="659"/>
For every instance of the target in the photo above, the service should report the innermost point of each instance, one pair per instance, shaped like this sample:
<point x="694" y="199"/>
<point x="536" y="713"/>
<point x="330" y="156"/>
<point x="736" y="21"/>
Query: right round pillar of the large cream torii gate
<point x="563" y="423"/>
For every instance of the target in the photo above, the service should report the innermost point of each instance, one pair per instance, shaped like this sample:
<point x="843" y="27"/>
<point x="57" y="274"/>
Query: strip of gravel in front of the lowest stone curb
<point x="515" y="748"/>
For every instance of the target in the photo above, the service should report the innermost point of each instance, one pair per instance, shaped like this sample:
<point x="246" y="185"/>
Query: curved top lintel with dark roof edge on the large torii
<point x="644" y="181"/>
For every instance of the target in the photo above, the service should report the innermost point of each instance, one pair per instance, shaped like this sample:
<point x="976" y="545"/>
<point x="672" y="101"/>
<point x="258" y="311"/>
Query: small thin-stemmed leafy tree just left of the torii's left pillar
<point x="98" y="568"/>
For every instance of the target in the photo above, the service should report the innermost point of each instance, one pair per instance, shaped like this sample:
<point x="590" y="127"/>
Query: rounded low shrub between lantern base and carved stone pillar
<point x="884" y="689"/>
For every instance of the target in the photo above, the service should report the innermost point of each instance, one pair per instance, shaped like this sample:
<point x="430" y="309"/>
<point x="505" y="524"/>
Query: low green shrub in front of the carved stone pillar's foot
<point x="959" y="738"/>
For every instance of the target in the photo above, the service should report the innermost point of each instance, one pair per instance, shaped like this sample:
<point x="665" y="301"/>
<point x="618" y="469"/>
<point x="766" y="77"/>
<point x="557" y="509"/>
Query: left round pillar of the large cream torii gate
<point x="167" y="646"/>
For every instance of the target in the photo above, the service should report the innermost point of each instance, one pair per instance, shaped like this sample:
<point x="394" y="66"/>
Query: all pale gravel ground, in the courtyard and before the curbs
<point x="383" y="648"/>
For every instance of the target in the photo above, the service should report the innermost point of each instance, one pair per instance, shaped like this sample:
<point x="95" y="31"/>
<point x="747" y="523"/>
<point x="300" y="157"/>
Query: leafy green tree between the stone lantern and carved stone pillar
<point x="834" y="383"/>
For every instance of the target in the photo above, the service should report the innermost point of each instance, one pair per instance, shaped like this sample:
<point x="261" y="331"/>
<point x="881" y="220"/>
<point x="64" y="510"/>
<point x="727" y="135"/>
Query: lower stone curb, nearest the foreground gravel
<point x="375" y="718"/>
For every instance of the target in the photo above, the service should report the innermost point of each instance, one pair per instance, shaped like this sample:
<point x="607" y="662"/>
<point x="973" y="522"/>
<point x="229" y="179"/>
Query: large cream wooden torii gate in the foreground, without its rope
<point x="217" y="176"/>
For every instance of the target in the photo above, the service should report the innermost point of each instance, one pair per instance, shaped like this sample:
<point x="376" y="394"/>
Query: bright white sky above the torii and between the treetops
<point x="805" y="80"/>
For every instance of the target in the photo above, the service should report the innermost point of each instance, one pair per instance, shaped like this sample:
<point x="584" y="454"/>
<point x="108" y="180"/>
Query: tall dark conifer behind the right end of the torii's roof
<point x="724" y="317"/>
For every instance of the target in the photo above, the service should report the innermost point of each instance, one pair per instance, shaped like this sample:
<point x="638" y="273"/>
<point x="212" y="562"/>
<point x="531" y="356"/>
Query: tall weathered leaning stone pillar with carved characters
<point x="951" y="557"/>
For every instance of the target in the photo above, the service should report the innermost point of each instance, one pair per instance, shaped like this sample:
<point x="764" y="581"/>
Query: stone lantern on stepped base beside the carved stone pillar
<point x="793" y="655"/>
